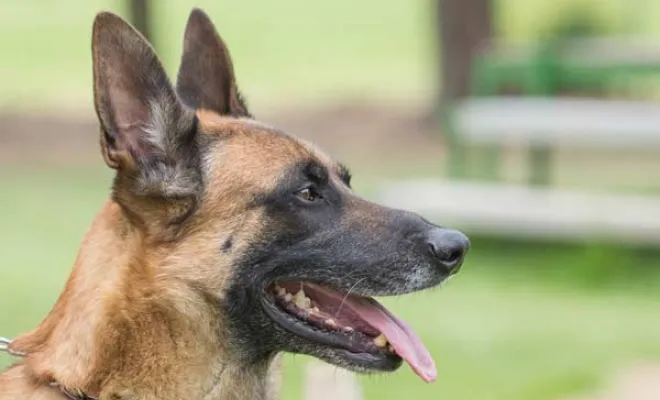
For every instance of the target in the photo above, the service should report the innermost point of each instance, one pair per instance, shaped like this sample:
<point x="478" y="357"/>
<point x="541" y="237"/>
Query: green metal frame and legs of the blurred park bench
<point x="545" y="70"/>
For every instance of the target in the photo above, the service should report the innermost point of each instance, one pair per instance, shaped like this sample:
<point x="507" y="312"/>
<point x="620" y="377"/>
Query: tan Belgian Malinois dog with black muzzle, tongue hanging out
<point x="224" y="243"/>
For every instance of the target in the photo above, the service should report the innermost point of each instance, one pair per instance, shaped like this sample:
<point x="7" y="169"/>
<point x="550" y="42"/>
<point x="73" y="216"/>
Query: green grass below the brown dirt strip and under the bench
<point x="495" y="333"/>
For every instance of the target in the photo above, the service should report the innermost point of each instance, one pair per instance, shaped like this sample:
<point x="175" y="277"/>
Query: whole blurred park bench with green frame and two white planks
<point x="541" y="120"/>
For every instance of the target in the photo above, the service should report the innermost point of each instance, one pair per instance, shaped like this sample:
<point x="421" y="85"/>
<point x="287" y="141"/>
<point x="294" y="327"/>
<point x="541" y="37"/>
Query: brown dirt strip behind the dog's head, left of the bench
<point x="356" y="133"/>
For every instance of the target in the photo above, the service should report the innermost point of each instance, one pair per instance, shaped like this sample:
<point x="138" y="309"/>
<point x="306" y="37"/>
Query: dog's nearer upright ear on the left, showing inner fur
<point x="147" y="133"/>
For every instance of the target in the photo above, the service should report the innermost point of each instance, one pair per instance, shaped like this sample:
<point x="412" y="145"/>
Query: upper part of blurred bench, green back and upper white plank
<point x="541" y="73"/>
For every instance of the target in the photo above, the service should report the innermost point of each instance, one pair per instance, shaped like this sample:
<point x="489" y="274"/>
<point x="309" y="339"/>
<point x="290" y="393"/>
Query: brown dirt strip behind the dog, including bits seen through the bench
<point x="376" y="140"/>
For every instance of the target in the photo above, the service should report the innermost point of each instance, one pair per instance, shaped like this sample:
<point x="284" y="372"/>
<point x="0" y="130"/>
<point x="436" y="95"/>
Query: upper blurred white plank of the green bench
<point x="549" y="121"/>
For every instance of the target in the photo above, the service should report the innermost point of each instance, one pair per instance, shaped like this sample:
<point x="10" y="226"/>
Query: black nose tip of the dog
<point x="448" y="247"/>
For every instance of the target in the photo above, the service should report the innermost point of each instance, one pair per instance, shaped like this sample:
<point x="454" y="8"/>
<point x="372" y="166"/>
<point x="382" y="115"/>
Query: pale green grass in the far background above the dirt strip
<point x="287" y="51"/>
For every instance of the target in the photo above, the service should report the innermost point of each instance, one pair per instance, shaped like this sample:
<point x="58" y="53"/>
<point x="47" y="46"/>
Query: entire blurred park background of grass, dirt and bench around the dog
<point x="533" y="126"/>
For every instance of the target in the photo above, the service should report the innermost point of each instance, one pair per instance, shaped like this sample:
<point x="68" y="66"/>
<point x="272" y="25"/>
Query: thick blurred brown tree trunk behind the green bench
<point x="462" y="26"/>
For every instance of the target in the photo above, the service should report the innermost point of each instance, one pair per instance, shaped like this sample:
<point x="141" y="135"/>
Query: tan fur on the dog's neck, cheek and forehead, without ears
<point x="127" y="322"/>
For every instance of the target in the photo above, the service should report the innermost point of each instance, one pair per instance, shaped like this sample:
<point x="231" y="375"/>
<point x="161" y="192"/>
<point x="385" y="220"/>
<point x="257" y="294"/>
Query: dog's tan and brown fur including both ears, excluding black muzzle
<point x="140" y="316"/>
